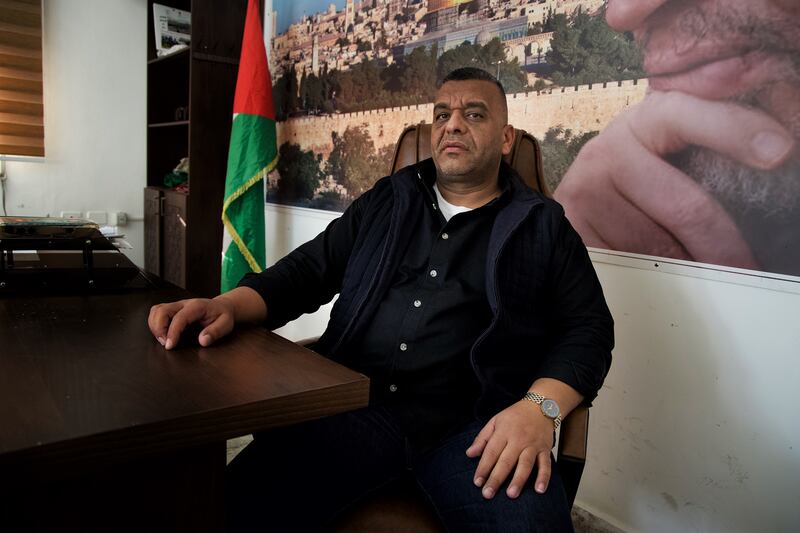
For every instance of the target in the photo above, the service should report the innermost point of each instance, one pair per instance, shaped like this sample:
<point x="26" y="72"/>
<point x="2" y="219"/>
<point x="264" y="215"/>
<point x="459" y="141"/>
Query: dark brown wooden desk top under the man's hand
<point x="83" y="381"/>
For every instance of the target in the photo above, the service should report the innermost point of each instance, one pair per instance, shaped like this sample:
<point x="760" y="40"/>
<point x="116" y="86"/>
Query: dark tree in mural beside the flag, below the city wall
<point x="299" y="172"/>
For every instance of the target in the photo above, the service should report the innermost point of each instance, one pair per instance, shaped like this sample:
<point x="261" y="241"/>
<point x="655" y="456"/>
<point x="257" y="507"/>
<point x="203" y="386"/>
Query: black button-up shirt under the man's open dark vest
<point x="416" y="349"/>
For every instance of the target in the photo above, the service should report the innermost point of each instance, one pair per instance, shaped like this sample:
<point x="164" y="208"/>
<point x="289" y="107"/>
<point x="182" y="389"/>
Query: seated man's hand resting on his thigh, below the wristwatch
<point x="517" y="438"/>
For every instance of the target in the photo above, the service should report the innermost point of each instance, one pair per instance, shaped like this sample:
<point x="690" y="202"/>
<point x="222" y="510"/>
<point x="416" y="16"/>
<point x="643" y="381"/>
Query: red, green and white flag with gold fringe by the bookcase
<point x="253" y="153"/>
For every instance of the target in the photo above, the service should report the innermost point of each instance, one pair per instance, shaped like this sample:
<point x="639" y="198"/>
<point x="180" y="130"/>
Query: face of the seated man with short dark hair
<point x="470" y="133"/>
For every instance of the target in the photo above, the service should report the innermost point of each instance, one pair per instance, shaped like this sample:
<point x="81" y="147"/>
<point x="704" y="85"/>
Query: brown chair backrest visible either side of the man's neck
<point x="414" y="145"/>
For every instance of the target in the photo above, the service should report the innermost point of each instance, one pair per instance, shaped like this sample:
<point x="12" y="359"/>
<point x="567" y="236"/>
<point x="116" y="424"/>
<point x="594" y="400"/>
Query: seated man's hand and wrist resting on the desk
<point x="218" y="316"/>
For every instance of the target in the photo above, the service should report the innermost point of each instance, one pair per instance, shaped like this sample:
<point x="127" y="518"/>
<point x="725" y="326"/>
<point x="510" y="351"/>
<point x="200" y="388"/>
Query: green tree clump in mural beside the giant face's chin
<point x="586" y="50"/>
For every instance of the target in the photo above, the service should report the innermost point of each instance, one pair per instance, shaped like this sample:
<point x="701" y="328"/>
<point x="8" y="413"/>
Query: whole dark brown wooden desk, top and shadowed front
<point x="101" y="429"/>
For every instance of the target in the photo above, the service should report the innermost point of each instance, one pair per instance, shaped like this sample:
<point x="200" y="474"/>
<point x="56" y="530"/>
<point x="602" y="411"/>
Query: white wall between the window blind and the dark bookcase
<point x="95" y="72"/>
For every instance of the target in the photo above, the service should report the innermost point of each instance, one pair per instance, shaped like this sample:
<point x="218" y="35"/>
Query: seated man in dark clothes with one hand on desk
<point x="471" y="304"/>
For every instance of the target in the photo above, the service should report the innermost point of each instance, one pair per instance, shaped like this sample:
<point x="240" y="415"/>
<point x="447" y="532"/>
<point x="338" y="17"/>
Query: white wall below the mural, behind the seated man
<point x="696" y="428"/>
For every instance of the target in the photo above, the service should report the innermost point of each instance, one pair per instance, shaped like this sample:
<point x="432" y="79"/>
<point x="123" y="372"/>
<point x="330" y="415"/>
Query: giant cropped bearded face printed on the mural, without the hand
<point x="744" y="51"/>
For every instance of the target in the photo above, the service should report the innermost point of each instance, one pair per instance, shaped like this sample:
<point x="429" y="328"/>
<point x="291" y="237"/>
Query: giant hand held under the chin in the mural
<point x="621" y="194"/>
